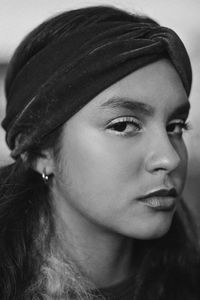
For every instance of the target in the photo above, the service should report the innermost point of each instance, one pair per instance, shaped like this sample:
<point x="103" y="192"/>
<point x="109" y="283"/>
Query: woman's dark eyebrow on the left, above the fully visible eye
<point x="128" y="103"/>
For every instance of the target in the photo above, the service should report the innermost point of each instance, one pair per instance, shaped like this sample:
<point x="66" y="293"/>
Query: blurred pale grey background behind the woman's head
<point x="17" y="18"/>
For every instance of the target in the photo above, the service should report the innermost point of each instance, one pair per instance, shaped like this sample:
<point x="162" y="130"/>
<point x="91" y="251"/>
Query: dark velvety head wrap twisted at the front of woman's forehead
<point x="66" y="74"/>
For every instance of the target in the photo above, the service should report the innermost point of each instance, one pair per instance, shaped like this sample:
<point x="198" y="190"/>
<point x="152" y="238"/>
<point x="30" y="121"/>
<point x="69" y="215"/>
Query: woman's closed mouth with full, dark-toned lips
<point x="161" y="200"/>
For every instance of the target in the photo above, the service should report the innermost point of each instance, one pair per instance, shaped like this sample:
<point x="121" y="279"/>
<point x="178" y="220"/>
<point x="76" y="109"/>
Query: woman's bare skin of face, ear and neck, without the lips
<point x="104" y="169"/>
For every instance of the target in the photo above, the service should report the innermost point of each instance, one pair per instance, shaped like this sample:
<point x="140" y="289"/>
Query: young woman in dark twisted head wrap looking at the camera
<point x="97" y="104"/>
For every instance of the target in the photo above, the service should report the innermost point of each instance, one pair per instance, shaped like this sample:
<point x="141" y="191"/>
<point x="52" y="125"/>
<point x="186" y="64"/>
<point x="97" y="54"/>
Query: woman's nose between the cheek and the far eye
<point x="162" y="154"/>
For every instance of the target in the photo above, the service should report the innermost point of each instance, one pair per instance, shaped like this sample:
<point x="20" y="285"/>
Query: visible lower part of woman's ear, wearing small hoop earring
<point x="44" y="162"/>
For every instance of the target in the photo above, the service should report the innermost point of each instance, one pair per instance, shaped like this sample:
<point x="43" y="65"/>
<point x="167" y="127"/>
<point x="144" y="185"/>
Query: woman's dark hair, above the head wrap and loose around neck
<point x="31" y="264"/>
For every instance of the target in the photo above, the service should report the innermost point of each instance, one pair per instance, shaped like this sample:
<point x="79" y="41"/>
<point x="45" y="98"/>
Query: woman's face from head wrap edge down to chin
<point x="123" y="159"/>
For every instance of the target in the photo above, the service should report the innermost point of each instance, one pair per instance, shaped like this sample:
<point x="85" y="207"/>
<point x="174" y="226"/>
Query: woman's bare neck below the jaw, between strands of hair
<point x="103" y="256"/>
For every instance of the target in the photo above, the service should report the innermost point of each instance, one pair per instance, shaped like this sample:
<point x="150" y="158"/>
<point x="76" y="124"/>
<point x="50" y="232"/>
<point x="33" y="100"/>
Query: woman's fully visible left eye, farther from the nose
<point x="124" y="126"/>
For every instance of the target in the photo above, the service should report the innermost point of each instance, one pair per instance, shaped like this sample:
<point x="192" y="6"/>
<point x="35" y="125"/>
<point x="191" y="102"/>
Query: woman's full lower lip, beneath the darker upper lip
<point x="160" y="203"/>
